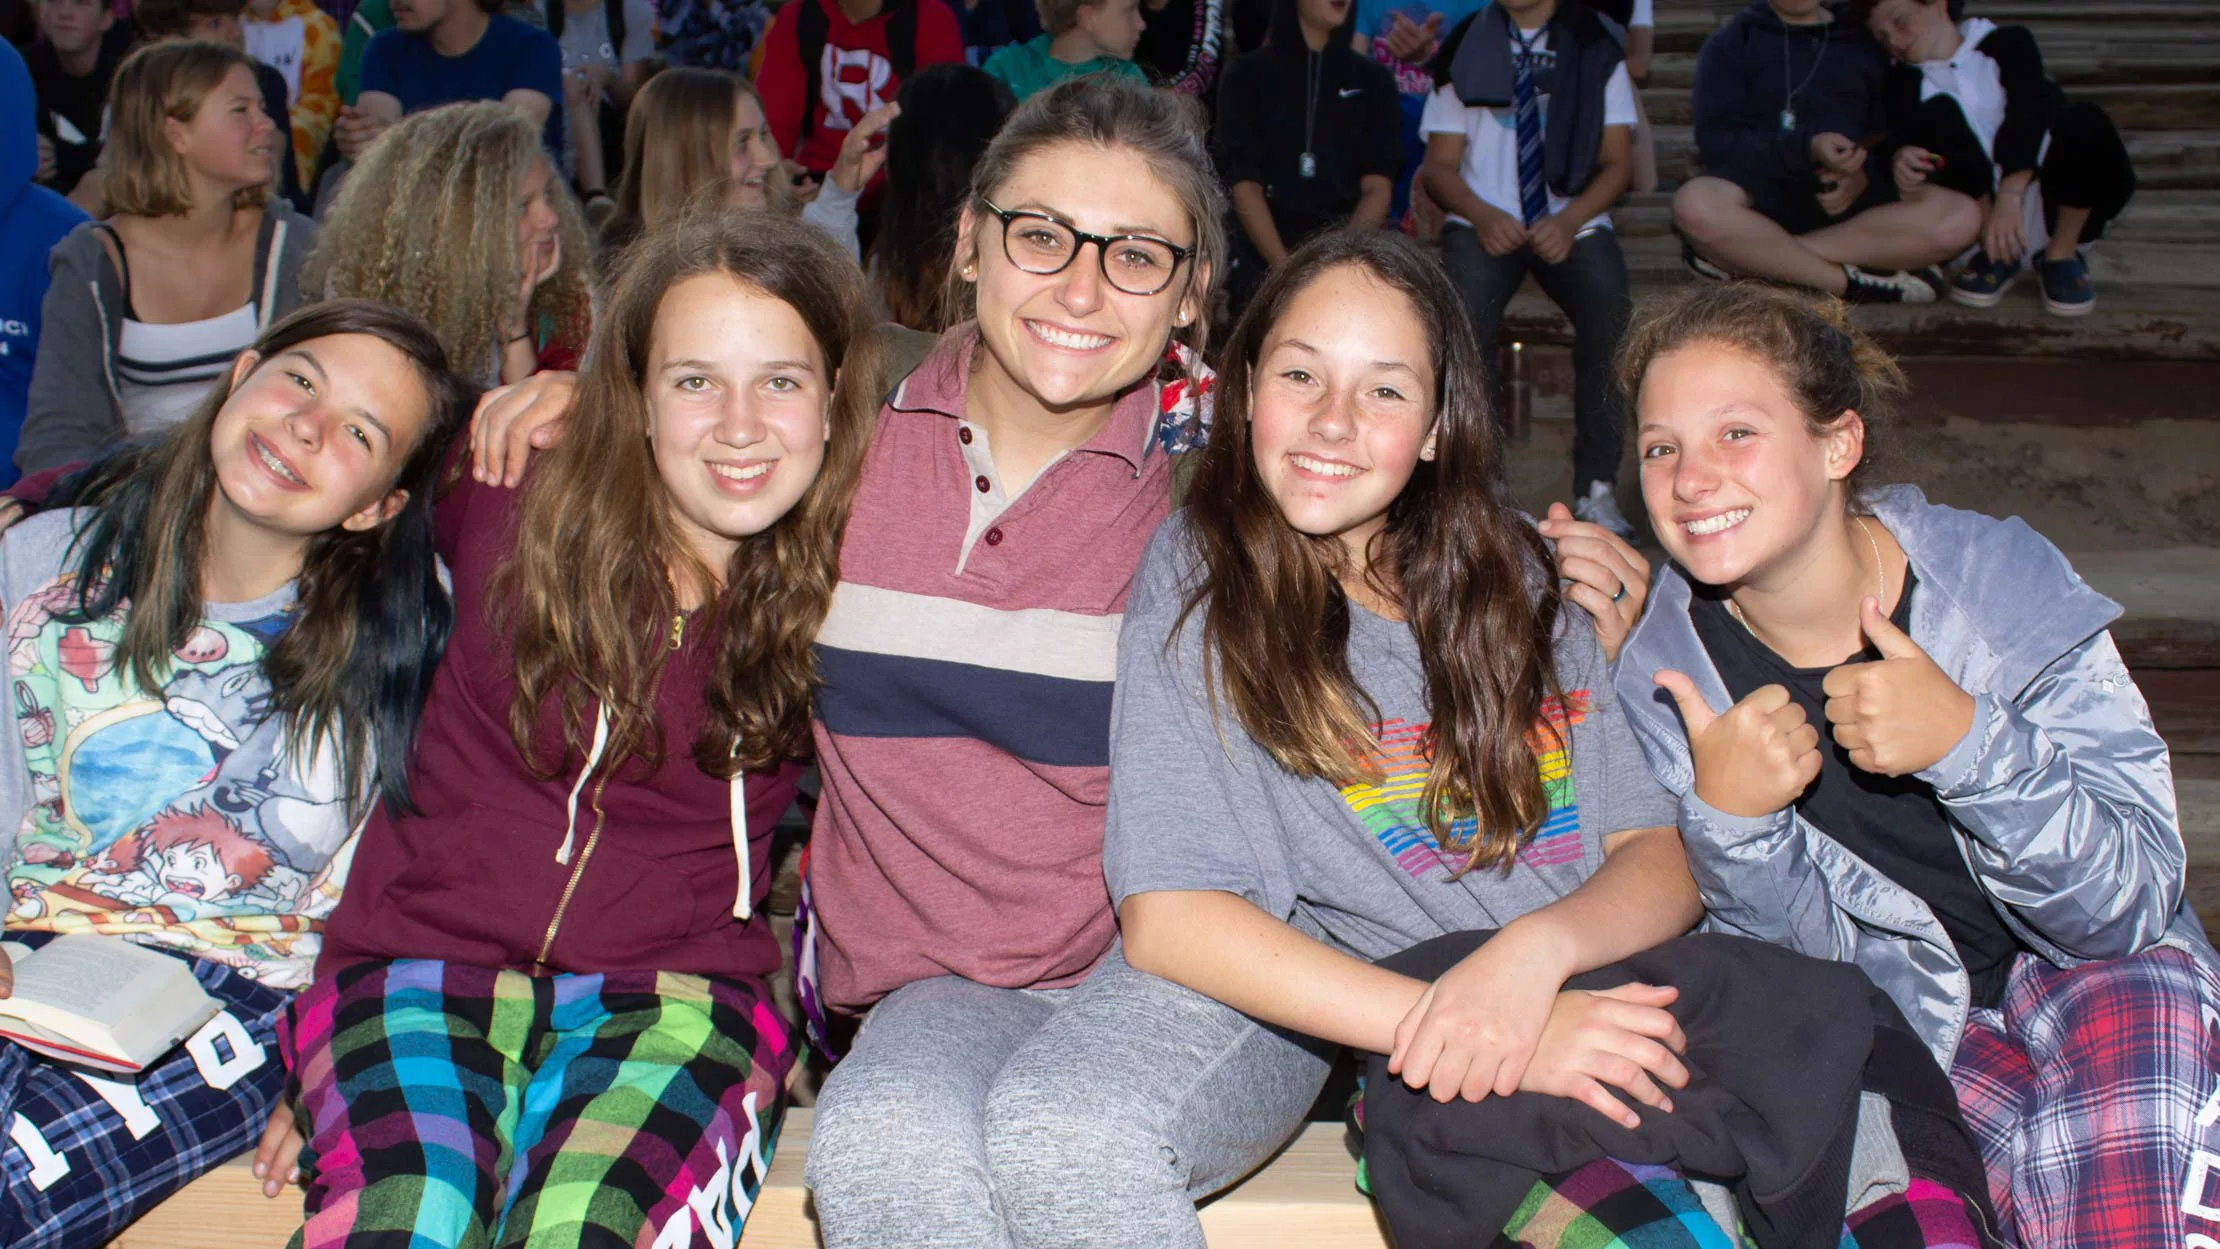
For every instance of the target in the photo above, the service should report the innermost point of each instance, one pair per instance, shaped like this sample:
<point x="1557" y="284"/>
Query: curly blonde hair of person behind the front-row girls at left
<point x="427" y="223"/>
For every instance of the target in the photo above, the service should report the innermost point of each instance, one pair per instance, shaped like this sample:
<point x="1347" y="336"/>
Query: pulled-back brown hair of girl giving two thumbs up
<point x="1824" y="361"/>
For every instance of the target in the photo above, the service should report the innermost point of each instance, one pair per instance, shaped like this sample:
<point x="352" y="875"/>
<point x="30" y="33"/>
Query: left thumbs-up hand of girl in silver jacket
<point x="1753" y="760"/>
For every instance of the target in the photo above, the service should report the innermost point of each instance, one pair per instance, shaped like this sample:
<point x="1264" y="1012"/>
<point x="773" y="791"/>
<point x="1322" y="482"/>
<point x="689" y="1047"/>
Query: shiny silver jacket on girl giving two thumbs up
<point x="2061" y="793"/>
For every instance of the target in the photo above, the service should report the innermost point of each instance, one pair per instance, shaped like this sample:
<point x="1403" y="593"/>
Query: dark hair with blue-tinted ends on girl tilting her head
<point x="372" y="616"/>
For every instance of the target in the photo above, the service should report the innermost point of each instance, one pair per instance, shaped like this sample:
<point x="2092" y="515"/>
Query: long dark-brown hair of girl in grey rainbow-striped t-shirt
<point x="1469" y="571"/>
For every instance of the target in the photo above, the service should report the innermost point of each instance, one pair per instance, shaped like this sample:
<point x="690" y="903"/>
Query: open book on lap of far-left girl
<point x="101" y="1002"/>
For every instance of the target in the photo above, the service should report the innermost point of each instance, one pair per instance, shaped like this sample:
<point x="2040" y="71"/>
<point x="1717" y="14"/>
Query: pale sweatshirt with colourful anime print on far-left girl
<point x="181" y="815"/>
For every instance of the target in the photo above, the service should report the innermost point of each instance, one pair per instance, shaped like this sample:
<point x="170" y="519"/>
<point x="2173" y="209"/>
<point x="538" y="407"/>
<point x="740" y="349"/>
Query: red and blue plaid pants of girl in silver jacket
<point x="2097" y="1101"/>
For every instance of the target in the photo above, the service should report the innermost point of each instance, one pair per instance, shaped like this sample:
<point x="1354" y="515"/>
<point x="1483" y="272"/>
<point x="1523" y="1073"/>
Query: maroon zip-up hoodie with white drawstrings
<point x="476" y="877"/>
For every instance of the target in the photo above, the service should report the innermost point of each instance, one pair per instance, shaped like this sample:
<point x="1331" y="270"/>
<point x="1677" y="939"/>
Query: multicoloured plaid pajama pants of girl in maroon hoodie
<point x="467" y="1108"/>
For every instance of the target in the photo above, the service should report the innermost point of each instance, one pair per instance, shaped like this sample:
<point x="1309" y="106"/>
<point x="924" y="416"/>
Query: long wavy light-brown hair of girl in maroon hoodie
<point x="587" y="596"/>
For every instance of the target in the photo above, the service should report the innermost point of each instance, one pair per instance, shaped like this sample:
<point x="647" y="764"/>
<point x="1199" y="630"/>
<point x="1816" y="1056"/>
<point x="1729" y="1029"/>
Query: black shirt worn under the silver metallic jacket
<point x="1895" y="824"/>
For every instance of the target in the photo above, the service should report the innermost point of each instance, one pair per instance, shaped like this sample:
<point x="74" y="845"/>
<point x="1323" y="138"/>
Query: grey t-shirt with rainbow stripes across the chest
<point x="1200" y="806"/>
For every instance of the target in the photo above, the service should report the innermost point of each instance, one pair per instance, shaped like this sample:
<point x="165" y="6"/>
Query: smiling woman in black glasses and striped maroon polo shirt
<point x="1016" y="1082"/>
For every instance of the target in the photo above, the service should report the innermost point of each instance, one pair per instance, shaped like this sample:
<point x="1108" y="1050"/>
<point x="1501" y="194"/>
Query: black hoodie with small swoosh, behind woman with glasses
<point x="1262" y="125"/>
